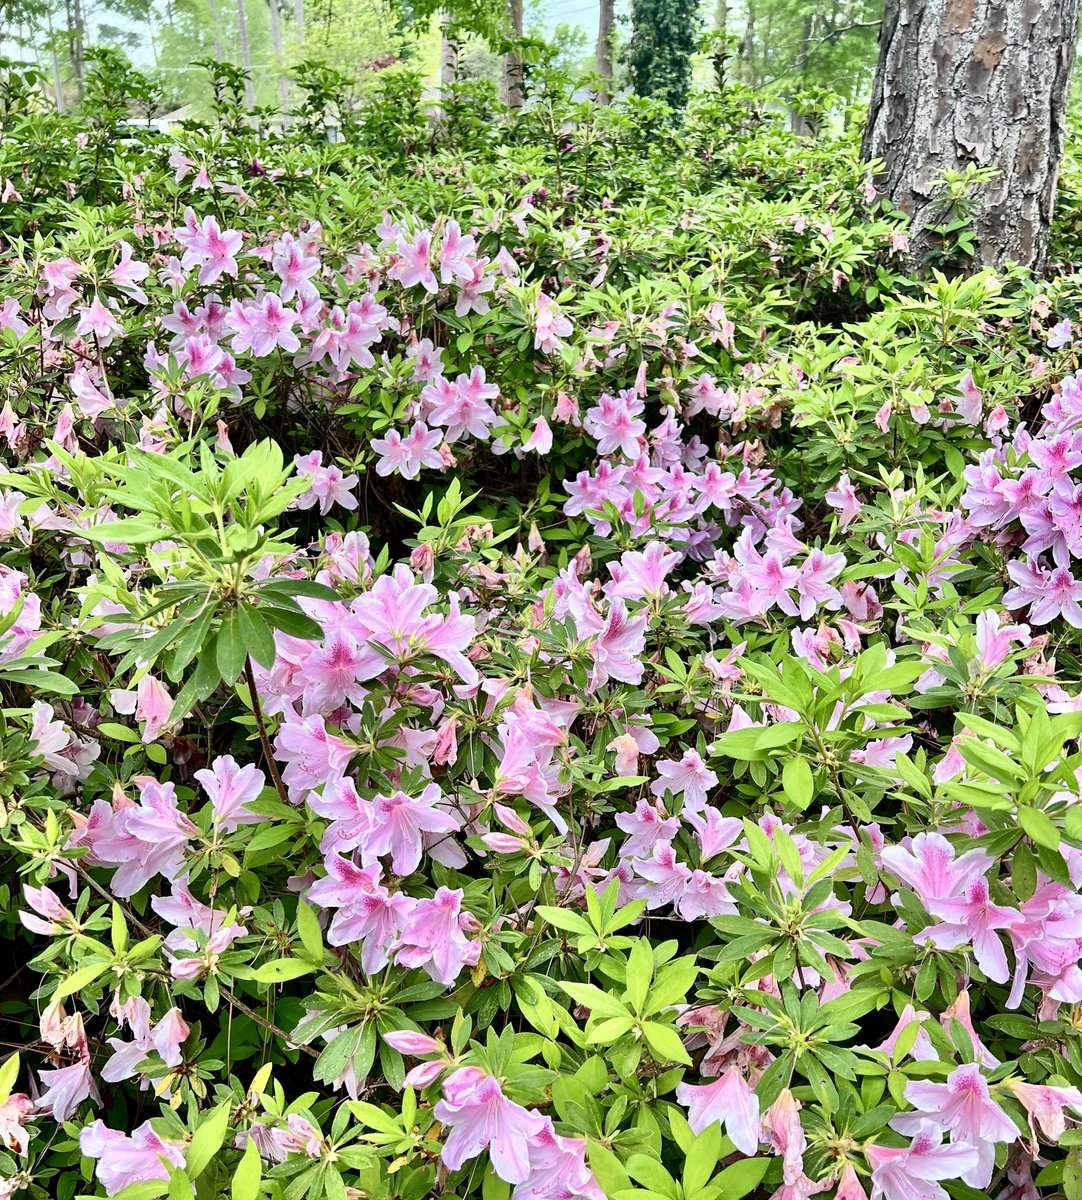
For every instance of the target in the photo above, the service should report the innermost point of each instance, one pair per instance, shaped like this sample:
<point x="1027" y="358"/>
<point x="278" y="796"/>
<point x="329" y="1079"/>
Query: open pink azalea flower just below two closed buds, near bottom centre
<point x="482" y="1118"/>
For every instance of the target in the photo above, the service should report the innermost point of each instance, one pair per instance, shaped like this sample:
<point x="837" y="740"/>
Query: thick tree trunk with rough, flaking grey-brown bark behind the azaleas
<point x="981" y="82"/>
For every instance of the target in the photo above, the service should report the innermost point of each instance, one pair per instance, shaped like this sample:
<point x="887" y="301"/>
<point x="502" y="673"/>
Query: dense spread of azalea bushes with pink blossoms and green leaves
<point x="530" y="669"/>
